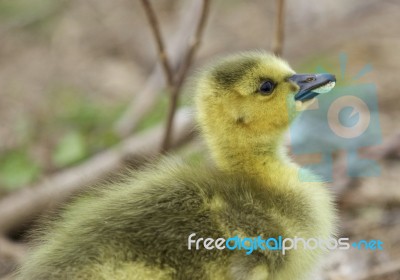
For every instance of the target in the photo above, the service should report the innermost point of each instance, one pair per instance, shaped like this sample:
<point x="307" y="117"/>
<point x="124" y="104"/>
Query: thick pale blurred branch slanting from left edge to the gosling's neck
<point x="23" y="206"/>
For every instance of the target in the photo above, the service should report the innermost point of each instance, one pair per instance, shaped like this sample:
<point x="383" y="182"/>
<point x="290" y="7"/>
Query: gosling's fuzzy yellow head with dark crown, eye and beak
<point x="252" y="94"/>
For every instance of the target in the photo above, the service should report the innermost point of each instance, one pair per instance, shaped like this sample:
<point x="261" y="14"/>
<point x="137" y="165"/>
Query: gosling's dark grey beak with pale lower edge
<point x="310" y="82"/>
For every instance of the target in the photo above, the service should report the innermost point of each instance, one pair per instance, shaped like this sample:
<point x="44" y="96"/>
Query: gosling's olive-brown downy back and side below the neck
<point x="139" y="228"/>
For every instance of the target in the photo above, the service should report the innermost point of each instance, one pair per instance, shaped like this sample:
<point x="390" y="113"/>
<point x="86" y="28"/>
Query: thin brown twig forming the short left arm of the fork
<point x="160" y="44"/>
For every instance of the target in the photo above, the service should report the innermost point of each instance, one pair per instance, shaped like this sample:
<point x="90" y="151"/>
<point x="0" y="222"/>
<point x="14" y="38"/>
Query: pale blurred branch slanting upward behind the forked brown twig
<point x="146" y="98"/>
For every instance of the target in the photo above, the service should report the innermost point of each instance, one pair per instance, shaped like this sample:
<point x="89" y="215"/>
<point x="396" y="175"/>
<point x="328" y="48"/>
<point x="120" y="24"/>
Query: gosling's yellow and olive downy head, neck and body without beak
<point x="139" y="228"/>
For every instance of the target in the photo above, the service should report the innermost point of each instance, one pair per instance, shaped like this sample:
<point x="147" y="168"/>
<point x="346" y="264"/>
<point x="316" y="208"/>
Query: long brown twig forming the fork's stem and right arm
<point x="194" y="44"/>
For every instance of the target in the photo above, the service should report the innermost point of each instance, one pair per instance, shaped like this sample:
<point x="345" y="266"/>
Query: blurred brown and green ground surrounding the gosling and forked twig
<point x="81" y="98"/>
